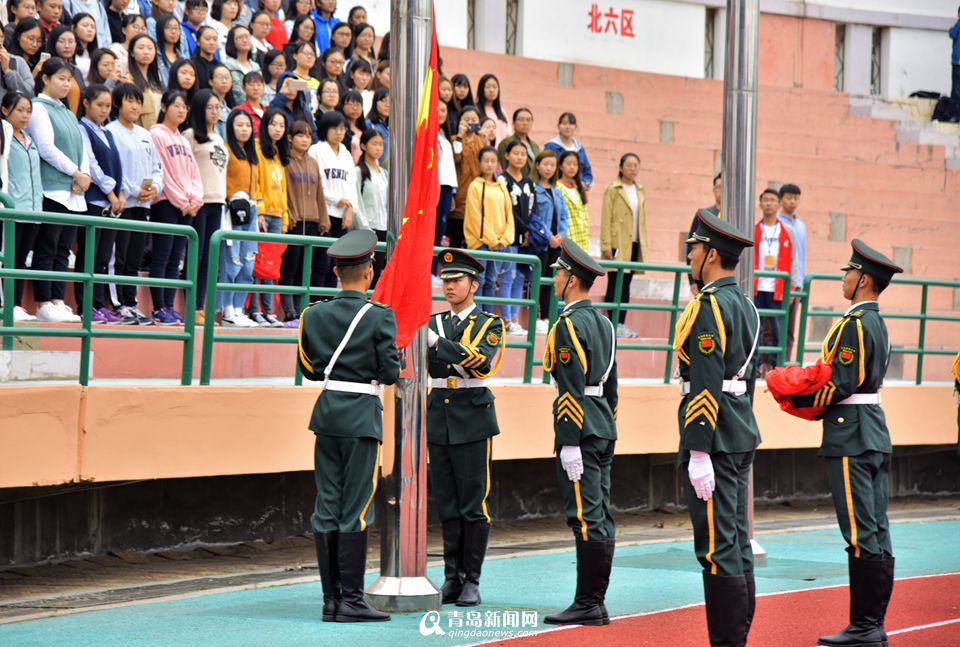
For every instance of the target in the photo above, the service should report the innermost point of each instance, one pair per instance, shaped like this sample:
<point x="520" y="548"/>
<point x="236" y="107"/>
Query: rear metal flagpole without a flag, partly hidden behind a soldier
<point x="740" y="145"/>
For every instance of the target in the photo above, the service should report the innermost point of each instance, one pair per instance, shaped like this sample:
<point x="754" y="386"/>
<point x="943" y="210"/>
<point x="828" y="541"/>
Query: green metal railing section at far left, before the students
<point x="86" y="332"/>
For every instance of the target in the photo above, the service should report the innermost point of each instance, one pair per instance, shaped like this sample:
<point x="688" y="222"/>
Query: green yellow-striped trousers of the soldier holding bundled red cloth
<point x="860" y="486"/>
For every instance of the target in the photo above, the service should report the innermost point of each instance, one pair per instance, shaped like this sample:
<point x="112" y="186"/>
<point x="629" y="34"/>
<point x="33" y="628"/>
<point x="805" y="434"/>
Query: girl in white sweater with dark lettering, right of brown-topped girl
<point x="339" y="177"/>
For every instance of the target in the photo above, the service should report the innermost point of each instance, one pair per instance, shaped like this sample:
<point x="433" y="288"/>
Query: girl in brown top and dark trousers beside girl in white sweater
<point x="308" y="217"/>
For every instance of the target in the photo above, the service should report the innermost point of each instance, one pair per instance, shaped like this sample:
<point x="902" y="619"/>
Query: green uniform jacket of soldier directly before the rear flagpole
<point x="714" y="337"/>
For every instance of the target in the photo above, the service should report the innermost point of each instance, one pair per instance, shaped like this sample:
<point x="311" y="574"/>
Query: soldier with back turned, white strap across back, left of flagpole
<point x="348" y="343"/>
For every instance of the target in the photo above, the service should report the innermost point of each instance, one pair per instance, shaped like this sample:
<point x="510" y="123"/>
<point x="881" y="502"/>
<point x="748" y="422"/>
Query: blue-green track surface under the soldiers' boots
<point x="645" y="578"/>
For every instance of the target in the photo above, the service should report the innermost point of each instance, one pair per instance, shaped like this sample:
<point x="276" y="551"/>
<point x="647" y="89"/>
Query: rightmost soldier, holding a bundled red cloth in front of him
<point x="856" y="443"/>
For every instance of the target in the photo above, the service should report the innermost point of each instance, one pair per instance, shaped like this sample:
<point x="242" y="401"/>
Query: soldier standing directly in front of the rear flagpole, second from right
<point x="716" y="338"/>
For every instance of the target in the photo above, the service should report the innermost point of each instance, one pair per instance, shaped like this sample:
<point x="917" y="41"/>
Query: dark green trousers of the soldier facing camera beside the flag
<point x="460" y="476"/>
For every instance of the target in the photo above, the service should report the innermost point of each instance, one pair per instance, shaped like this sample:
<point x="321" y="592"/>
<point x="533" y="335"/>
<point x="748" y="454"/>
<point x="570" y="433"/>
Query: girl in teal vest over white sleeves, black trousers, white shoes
<point x="65" y="173"/>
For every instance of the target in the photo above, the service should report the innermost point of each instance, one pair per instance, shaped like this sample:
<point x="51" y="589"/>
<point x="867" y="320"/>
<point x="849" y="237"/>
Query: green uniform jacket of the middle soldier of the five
<point x="578" y="353"/>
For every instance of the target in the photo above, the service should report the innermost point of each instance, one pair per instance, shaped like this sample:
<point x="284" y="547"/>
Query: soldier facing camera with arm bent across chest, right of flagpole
<point x="465" y="348"/>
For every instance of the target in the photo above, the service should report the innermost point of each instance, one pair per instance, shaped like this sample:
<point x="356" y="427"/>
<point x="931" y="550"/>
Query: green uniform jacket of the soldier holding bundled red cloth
<point x="858" y="349"/>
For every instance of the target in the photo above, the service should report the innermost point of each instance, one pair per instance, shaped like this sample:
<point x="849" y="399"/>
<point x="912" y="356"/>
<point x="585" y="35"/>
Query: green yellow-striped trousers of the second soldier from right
<point x="721" y="537"/>
